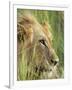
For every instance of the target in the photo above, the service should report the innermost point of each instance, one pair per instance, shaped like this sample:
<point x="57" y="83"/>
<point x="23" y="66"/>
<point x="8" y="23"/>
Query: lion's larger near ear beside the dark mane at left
<point x="24" y="28"/>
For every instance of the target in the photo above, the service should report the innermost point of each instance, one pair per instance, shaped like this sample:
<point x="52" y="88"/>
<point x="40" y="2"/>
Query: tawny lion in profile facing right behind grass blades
<point x="36" y="58"/>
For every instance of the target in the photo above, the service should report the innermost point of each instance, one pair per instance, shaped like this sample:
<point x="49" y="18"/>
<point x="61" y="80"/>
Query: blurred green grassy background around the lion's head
<point x="56" y="22"/>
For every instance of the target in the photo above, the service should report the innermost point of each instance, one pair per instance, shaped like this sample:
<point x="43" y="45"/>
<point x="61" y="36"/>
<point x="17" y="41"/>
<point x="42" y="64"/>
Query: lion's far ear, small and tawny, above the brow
<point x="46" y="30"/>
